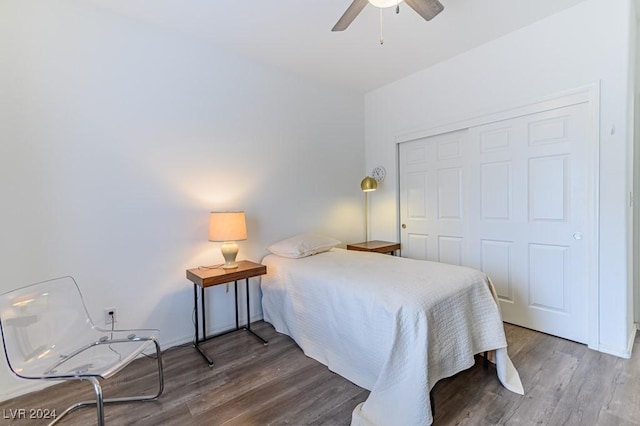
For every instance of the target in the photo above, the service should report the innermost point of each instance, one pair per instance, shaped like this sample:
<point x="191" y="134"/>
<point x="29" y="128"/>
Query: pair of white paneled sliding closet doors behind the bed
<point x="508" y="198"/>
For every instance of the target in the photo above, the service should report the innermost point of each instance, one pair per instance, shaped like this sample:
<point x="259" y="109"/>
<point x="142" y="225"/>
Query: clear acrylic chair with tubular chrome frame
<point x="48" y="335"/>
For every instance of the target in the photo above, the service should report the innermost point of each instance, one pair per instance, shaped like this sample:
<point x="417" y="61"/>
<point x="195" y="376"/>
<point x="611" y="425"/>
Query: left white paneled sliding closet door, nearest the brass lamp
<point x="433" y="189"/>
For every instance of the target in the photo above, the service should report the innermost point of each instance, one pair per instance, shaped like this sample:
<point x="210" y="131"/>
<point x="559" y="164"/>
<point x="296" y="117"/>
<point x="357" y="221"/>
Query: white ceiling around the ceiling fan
<point x="296" y="34"/>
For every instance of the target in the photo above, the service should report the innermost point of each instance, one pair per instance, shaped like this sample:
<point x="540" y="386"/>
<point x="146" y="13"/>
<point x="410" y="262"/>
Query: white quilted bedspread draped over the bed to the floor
<point x="392" y="325"/>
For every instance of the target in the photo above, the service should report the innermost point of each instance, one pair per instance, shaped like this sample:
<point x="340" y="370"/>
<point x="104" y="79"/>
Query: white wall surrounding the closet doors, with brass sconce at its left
<point x="582" y="45"/>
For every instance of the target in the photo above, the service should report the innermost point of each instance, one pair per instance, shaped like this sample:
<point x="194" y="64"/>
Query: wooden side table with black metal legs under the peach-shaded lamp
<point x="204" y="277"/>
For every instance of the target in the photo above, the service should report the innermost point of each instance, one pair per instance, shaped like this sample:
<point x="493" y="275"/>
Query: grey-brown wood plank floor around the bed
<point x="251" y="384"/>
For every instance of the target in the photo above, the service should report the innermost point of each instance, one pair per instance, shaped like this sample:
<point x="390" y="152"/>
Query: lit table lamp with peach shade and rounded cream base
<point x="228" y="227"/>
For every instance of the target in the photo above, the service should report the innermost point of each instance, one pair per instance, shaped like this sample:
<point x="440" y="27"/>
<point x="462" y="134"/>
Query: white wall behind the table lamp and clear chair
<point x="118" y="138"/>
